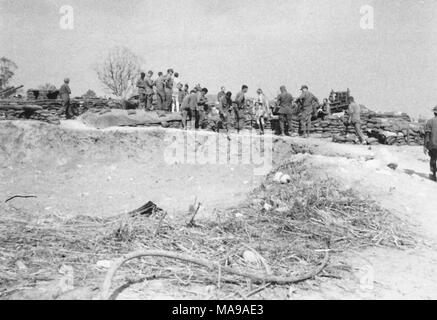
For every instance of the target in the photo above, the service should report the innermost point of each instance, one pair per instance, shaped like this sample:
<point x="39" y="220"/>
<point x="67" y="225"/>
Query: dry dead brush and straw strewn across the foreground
<point x="305" y="218"/>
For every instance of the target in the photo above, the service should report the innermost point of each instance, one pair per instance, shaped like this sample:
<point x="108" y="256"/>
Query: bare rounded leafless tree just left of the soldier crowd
<point x="119" y="70"/>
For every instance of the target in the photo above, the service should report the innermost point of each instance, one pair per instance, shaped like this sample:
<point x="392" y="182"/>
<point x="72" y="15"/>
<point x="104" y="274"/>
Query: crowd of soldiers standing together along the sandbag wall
<point x="195" y="109"/>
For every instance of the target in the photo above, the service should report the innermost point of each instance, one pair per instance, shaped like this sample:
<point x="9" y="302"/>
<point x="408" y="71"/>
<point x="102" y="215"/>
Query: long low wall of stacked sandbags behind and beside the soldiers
<point x="388" y="128"/>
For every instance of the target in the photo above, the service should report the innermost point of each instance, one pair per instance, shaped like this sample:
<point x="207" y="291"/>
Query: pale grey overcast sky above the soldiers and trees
<point x="261" y="43"/>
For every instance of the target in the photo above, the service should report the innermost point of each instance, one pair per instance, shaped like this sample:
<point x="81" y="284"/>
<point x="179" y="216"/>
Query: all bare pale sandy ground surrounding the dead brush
<point x="75" y="170"/>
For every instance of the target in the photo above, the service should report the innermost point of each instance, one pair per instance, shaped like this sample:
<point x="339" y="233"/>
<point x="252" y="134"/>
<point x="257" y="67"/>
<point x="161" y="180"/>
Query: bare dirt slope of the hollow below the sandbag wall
<point x="105" y="172"/>
